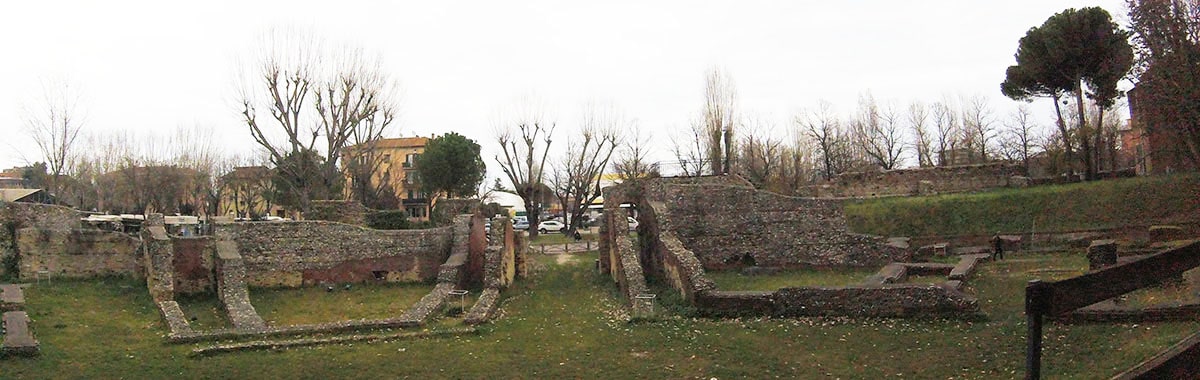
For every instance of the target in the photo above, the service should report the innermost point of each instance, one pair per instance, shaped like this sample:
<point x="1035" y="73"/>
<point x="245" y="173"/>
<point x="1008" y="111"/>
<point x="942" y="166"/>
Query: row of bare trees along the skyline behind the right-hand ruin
<point x="823" y="143"/>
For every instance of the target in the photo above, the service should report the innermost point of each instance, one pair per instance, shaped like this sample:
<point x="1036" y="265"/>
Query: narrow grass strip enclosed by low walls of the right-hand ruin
<point x="831" y="278"/>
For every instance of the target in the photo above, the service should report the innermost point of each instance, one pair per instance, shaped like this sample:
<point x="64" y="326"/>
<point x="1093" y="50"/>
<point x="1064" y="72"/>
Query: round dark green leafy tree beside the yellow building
<point x="451" y="165"/>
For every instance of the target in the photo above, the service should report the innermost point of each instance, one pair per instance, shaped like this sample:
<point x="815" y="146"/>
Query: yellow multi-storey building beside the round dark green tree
<point x="395" y="172"/>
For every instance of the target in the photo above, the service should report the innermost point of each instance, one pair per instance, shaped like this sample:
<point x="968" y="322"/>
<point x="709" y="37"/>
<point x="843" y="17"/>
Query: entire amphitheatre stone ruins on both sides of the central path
<point x="668" y="263"/>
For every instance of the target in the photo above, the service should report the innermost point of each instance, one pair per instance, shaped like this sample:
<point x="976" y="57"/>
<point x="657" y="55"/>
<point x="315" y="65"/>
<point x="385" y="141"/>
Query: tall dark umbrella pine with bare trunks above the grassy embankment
<point x="1072" y="49"/>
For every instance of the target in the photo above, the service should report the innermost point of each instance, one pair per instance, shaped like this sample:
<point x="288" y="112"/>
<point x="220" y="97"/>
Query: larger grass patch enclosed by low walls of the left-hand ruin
<point x="315" y="305"/>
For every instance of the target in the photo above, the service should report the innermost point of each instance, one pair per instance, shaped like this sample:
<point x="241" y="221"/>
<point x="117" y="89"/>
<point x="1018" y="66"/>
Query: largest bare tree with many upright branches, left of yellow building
<point x="340" y="91"/>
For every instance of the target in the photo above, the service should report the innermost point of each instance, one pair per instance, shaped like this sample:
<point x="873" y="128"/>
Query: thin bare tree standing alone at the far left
<point x="55" y="126"/>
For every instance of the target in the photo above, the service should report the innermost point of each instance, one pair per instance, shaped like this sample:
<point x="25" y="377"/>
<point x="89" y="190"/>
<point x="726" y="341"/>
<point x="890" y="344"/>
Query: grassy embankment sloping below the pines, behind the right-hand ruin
<point x="1061" y="208"/>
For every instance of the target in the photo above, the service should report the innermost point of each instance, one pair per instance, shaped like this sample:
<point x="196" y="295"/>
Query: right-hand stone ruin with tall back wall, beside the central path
<point x="697" y="225"/>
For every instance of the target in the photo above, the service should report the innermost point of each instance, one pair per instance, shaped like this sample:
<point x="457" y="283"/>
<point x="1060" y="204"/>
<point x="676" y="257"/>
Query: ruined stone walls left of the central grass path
<point x="43" y="240"/>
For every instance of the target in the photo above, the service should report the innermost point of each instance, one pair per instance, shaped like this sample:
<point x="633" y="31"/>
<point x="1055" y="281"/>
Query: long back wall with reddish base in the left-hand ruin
<point x="302" y="254"/>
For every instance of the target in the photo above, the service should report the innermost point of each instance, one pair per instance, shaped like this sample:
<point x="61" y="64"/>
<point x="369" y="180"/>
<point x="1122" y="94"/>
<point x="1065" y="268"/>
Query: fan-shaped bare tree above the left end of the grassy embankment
<point x="878" y="132"/>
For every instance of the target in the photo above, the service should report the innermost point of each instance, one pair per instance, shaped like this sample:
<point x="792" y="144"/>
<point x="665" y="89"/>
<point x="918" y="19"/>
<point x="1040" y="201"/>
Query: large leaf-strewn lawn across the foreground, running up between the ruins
<point x="567" y="323"/>
